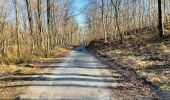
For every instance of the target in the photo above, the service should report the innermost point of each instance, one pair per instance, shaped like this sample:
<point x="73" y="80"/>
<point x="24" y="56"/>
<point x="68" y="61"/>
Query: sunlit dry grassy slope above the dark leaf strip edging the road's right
<point x="146" y="53"/>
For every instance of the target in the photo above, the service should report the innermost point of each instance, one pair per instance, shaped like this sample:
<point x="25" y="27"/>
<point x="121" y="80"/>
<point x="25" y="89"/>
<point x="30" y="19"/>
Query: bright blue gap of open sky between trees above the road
<point x="79" y="6"/>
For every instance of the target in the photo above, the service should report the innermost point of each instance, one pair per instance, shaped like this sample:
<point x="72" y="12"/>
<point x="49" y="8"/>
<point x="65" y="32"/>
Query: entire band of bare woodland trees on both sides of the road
<point x="37" y="27"/>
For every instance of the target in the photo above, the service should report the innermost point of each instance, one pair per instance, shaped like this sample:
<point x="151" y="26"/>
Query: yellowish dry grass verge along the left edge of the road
<point x="9" y="88"/>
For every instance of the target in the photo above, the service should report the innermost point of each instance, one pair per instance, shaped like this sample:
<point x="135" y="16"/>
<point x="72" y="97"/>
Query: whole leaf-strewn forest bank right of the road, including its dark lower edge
<point x="142" y="58"/>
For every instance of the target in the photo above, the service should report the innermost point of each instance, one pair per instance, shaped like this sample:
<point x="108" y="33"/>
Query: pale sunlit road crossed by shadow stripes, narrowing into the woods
<point x="81" y="76"/>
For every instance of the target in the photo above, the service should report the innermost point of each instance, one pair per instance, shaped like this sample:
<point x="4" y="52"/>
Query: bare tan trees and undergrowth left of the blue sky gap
<point x="36" y="27"/>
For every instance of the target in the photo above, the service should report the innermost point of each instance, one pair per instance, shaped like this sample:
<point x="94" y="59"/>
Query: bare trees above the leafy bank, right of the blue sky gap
<point x="115" y="19"/>
